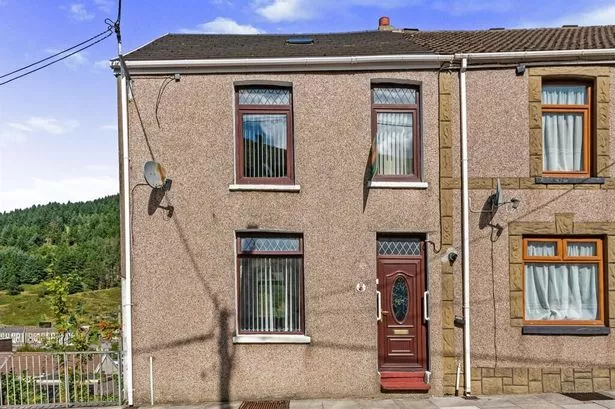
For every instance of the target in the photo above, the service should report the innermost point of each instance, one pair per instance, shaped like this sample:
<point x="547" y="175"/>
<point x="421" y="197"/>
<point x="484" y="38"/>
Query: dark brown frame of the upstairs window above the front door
<point x="415" y="111"/>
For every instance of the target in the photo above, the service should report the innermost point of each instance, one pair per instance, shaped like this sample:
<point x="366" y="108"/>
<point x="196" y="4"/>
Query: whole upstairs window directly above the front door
<point x="396" y="154"/>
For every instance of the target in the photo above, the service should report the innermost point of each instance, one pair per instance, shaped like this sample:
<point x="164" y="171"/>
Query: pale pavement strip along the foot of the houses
<point x="536" y="401"/>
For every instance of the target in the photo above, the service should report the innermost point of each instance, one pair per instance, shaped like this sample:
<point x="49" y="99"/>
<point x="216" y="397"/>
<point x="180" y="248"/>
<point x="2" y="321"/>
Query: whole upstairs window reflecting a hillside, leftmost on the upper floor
<point x="264" y="135"/>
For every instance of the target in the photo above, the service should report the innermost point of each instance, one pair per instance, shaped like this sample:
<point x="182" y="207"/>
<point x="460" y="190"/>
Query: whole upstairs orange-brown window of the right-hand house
<point x="566" y="125"/>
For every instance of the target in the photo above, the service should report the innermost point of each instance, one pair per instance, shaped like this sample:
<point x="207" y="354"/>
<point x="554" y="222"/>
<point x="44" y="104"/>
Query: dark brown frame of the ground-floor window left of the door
<point x="262" y="254"/>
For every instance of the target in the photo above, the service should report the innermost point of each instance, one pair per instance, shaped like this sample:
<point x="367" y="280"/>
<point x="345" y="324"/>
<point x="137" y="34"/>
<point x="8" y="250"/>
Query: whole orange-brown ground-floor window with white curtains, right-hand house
<point x="563" y="281"/>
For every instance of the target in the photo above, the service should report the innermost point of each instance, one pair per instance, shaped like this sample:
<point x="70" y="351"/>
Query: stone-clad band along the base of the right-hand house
<point x="493" y="381"/>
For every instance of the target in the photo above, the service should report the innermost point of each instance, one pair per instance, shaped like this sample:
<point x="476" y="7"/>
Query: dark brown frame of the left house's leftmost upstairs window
<point x="242" y="109"/>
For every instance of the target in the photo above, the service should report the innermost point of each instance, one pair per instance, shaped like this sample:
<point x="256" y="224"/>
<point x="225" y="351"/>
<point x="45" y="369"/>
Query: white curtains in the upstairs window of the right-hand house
<point x="563" y="132"/>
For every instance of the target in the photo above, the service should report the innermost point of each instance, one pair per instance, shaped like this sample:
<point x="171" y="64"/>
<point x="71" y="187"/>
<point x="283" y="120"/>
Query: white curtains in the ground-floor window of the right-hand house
<point x="561" y="291"/>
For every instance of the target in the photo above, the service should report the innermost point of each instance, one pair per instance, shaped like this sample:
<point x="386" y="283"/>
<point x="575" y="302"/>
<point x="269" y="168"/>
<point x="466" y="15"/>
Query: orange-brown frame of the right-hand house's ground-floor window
<point x="562" y="258"/>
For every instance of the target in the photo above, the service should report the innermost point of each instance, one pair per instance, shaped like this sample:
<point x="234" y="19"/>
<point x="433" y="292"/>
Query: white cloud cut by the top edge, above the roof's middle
<point x="292" y="10"/>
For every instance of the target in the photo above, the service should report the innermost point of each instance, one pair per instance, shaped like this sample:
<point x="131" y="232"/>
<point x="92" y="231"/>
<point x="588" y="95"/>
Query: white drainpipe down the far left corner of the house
<point x="126" y="279"/>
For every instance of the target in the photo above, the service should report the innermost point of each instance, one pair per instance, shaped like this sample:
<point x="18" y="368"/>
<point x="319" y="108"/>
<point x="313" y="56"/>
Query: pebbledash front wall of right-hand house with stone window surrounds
<point x="504" y="140"/>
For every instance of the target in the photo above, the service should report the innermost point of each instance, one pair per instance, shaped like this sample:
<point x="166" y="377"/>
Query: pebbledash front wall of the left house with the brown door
<point x="184" y="267"/>
